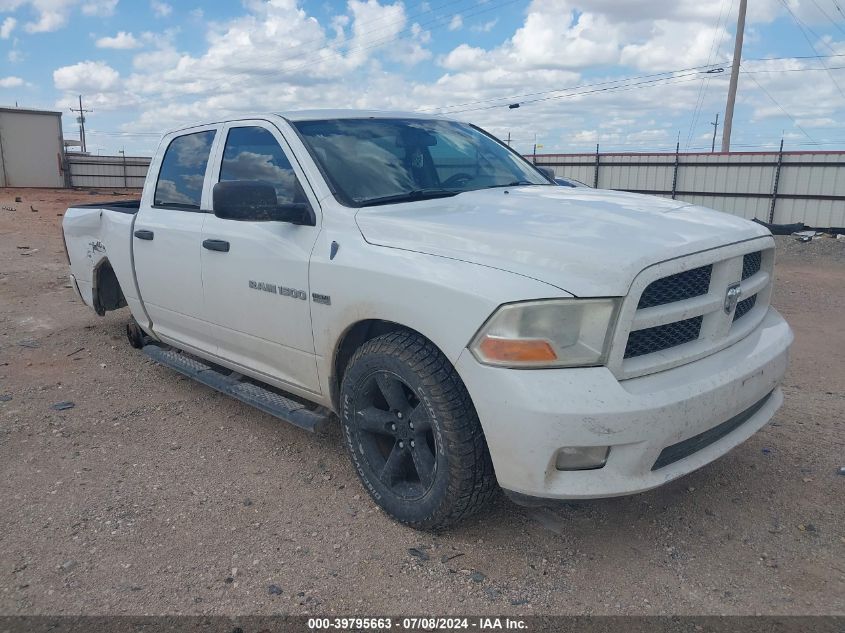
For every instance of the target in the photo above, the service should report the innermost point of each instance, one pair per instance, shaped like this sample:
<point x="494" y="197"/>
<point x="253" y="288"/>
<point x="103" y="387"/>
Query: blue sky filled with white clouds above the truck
<point x="630" y="75"/>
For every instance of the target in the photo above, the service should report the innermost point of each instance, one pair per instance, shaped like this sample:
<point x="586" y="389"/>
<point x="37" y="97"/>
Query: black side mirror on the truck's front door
<point x="255" y="201"/>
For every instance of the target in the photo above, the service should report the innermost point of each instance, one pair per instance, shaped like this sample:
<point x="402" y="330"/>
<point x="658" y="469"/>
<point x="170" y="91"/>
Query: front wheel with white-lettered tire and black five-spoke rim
<point x="413" y="434"/>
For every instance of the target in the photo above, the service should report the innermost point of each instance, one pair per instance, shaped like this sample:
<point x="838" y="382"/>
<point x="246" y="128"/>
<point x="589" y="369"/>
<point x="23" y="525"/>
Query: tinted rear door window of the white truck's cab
<point x="182" y="172"/>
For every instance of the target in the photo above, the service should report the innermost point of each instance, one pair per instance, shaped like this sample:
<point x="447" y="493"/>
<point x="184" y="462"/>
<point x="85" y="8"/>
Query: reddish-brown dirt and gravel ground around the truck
<point x="154" y="494"/>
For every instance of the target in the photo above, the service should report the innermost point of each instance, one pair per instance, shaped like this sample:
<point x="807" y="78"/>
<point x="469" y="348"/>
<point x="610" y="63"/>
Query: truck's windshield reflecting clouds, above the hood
<point x="380" y="161"/>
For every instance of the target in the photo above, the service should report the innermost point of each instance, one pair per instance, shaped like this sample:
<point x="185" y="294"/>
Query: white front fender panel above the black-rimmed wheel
<point x="444" y="299"/>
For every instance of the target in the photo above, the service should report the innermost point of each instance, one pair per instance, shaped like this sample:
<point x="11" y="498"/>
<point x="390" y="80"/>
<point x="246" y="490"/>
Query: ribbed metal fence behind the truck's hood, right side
<point x="776" y="187"/>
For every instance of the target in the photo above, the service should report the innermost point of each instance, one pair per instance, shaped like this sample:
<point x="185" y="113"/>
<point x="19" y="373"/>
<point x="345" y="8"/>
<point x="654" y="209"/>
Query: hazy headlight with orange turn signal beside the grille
<point x="549" y="333"/>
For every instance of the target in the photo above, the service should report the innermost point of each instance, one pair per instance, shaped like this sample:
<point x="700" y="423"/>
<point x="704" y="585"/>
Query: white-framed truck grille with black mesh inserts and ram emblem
<point x="680" y="316"/>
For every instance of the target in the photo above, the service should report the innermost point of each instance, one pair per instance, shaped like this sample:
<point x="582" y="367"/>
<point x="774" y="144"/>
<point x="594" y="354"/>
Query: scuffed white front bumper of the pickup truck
<point x="528" y="415"/>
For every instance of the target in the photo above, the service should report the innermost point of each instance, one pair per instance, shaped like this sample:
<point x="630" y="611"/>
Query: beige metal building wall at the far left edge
<point x="31" y="148"/>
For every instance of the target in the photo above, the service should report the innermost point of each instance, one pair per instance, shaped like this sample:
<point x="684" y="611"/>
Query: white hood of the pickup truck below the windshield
<point x="587" y="242"/>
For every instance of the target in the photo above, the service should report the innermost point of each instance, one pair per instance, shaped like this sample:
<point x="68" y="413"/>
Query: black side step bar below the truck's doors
<point x="234" y="385"/>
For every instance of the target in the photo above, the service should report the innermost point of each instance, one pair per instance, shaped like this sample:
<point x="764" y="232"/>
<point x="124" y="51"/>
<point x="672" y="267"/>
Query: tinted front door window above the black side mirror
<point x="252" y="153"/>
